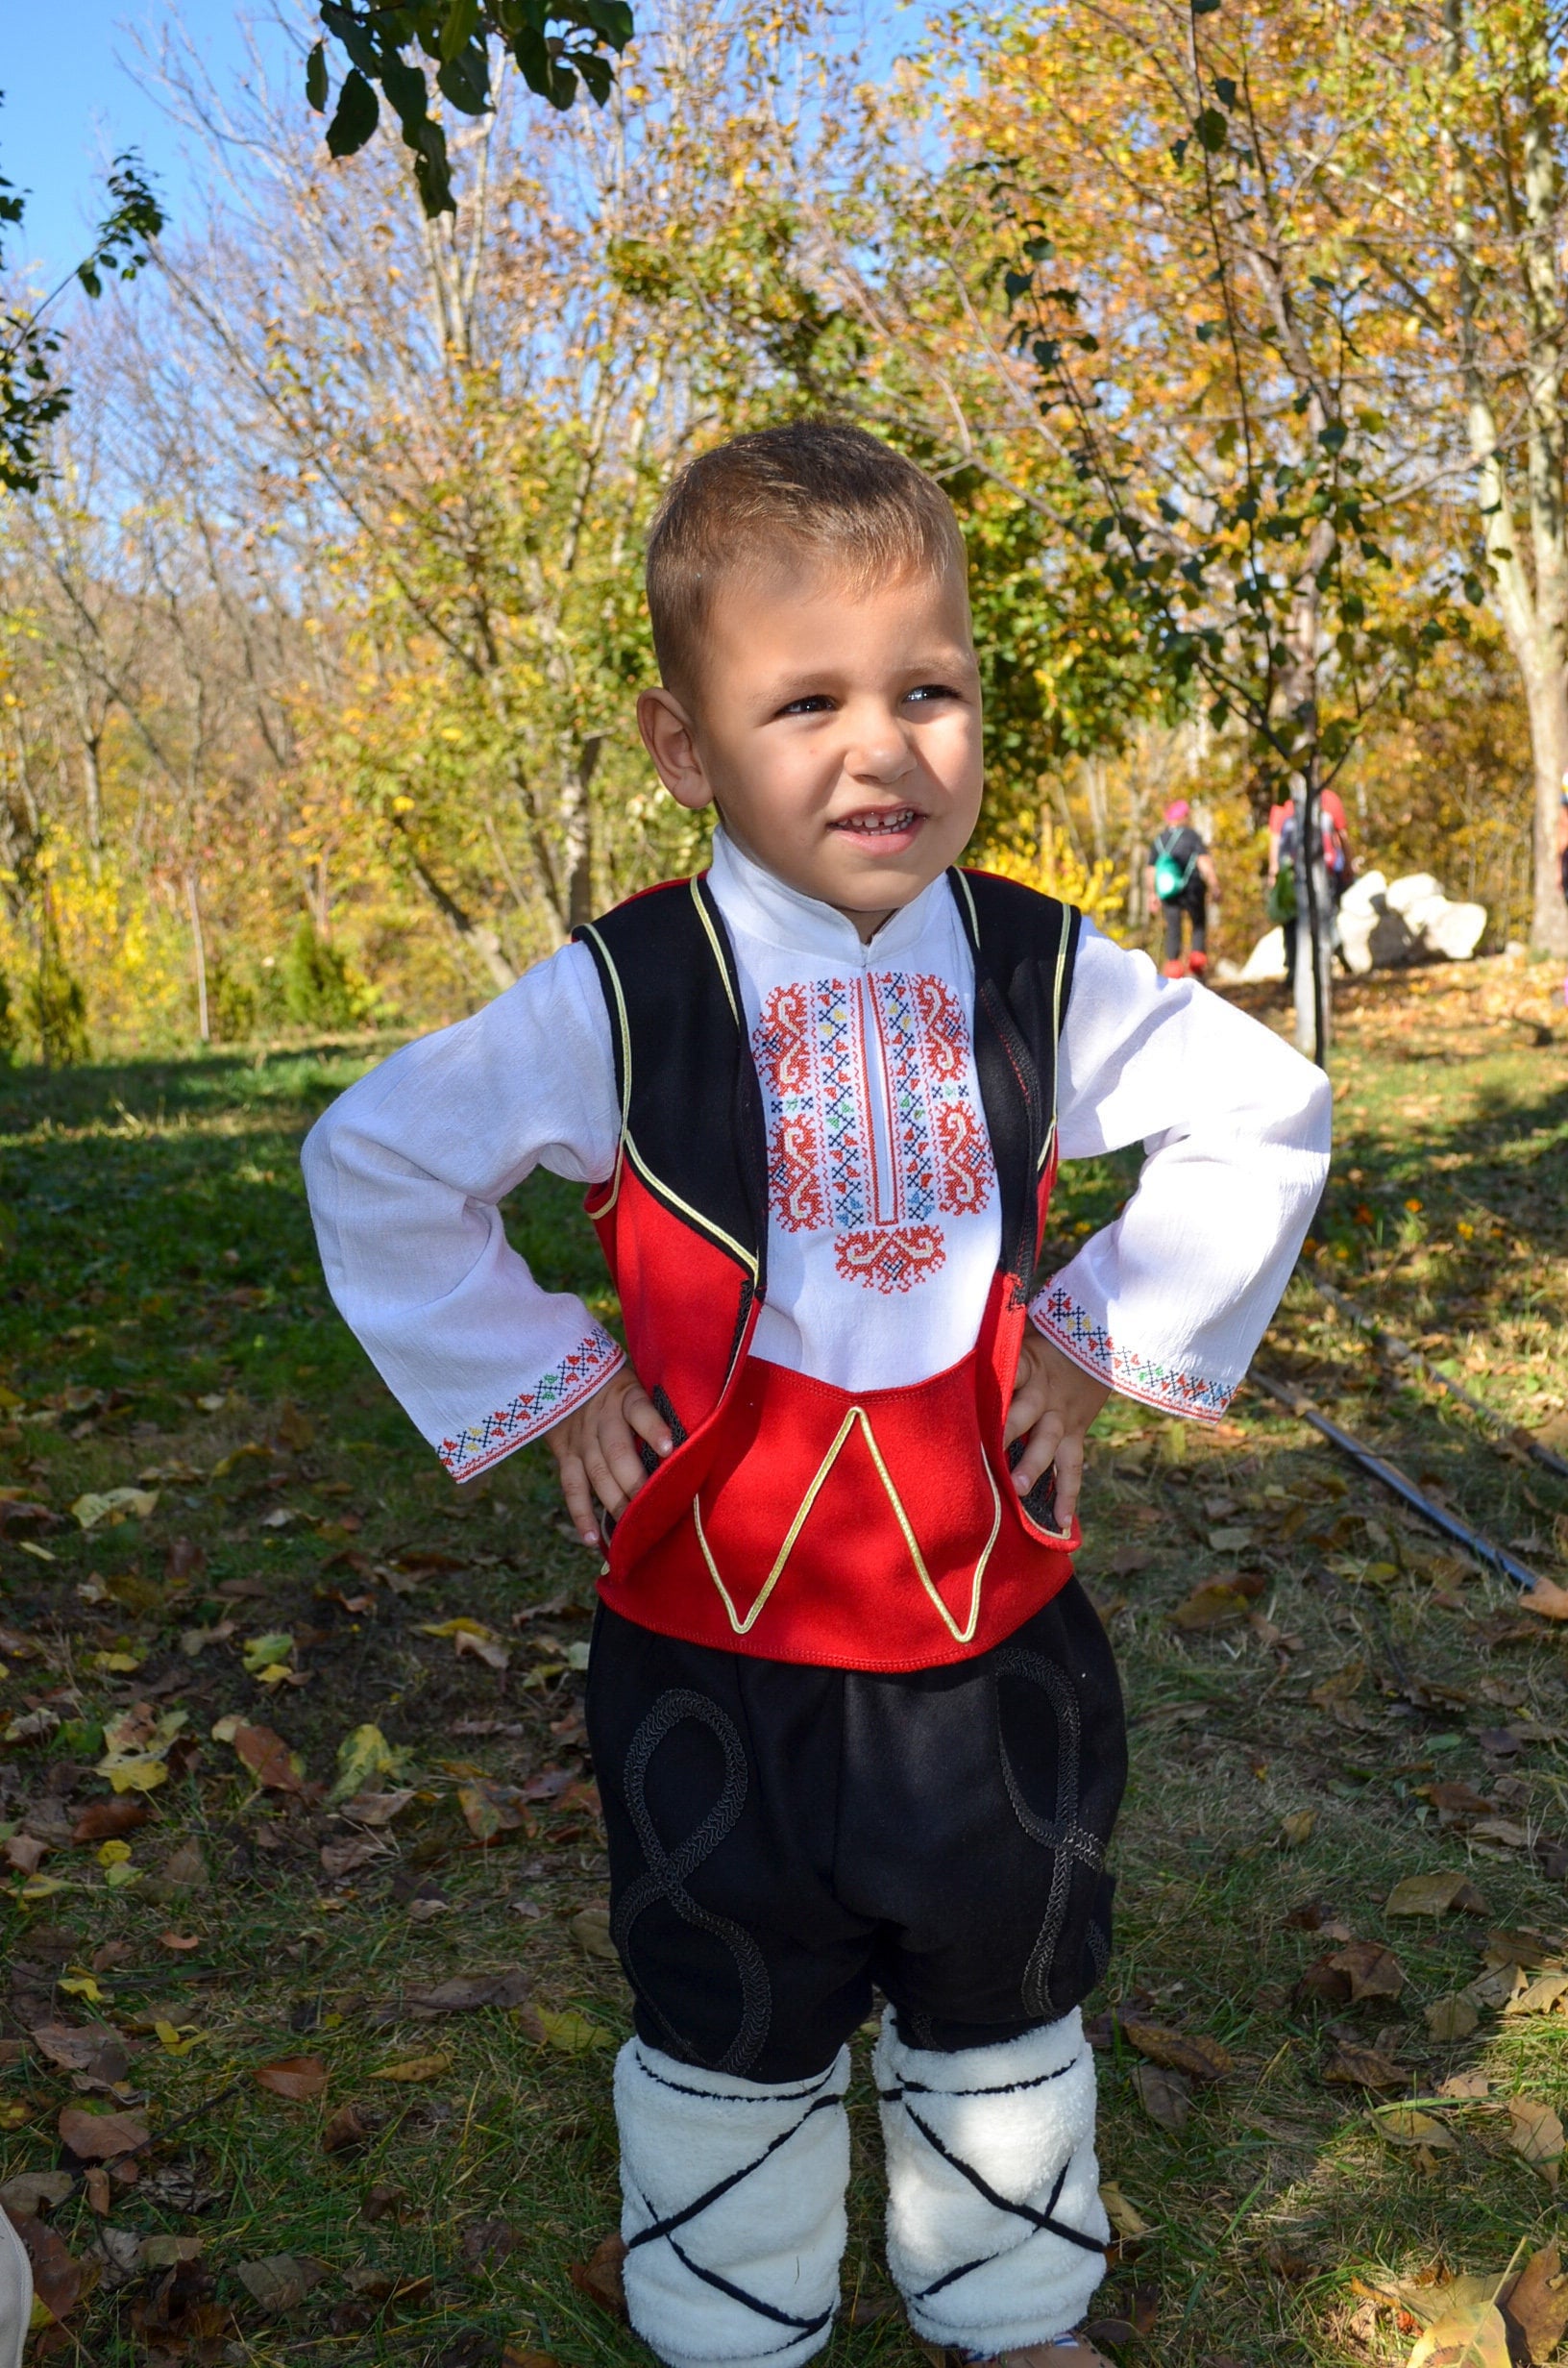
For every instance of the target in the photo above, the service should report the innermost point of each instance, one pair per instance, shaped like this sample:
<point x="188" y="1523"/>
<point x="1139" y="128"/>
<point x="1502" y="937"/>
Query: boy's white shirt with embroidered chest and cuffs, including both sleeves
<point x="885" y="1216"/>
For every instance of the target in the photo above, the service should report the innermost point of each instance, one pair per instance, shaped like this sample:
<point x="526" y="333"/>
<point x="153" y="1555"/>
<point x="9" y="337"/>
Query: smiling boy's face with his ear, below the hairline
<point x="837" y="733"/>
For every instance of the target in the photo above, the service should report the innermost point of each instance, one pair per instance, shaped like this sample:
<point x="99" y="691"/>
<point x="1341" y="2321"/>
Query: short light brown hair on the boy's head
<point x="811" y="491"/>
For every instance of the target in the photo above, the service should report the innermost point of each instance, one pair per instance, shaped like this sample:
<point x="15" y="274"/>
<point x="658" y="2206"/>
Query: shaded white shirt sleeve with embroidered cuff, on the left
<point x="406" y="1173"/>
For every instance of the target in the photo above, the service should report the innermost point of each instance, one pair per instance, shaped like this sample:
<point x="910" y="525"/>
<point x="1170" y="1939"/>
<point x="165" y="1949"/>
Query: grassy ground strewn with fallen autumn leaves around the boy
<point x="311" y="2002"/>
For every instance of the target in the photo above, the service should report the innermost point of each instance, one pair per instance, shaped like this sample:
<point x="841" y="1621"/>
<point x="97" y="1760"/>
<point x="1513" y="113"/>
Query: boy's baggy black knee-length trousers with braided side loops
<point x="788" y="1839"/>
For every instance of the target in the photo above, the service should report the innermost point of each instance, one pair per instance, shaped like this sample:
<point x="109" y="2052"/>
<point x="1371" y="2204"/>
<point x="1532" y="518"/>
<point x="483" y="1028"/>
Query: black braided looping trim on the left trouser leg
<point x="667" y="1870"/>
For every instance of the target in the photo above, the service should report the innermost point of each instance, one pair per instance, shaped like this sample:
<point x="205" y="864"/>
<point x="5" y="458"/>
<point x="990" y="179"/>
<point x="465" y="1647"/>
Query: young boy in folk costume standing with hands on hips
<point x="852" y="1716"/>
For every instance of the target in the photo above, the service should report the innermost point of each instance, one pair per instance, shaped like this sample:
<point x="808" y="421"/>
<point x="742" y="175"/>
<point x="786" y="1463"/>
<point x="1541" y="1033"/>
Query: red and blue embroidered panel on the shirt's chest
<point x="873" y="1126"/>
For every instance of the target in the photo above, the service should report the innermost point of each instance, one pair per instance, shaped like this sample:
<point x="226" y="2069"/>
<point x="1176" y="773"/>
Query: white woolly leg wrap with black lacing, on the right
<point x="996" y="2225"/>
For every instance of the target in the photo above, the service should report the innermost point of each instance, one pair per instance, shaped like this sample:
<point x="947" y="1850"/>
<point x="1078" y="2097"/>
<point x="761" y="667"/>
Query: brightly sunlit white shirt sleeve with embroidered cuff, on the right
<point x="1171" y="1301"/>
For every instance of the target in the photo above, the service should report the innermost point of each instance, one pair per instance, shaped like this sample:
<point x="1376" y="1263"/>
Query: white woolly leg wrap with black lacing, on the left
<point x="733" y="2211"/>
